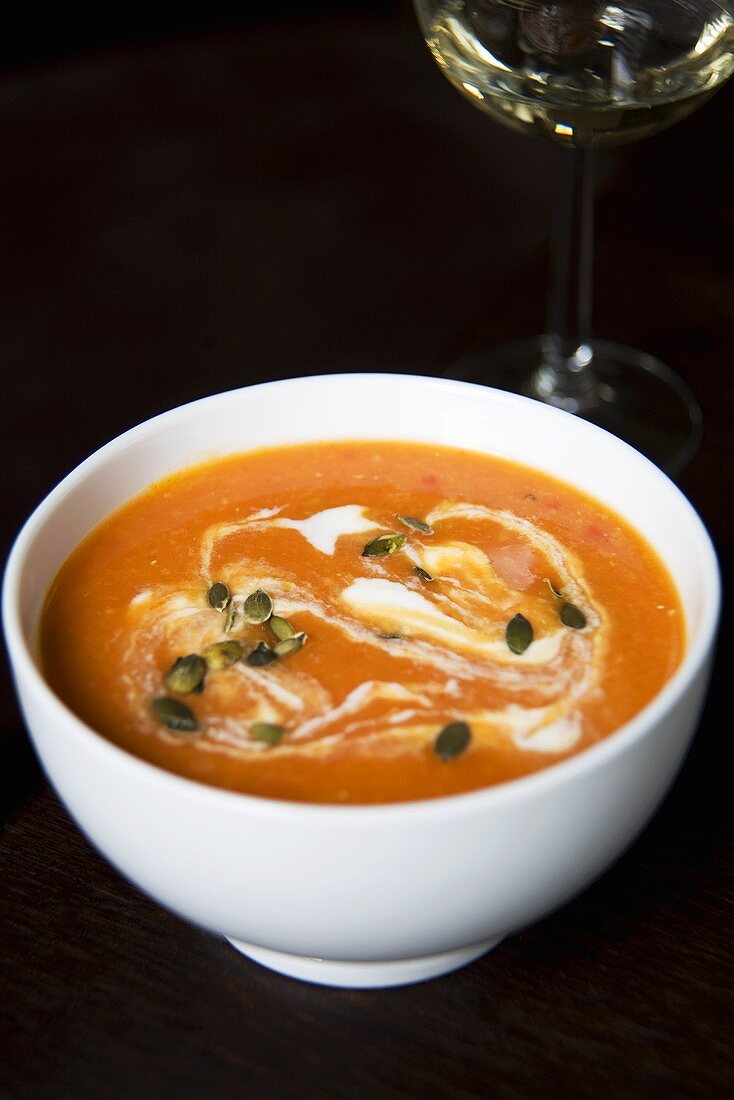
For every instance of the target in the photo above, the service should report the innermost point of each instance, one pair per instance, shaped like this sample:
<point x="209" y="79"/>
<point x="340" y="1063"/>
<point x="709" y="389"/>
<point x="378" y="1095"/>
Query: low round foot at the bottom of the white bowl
<point x="365" y="975"/>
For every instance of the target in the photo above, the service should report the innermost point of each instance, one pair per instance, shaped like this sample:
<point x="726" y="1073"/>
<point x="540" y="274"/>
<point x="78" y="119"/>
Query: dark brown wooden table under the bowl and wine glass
<point x="188" y="213"/>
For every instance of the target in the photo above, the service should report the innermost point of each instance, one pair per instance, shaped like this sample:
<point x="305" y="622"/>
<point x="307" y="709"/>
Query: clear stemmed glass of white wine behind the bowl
<point x="586" y="74"/>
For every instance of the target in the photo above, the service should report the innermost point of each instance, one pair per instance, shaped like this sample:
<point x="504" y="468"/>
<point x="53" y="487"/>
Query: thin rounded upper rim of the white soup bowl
<point x="26" y="668"/>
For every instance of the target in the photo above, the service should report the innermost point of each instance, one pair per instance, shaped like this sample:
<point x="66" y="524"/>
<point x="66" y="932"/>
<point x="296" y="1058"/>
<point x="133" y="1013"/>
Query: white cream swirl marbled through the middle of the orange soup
<point x="444" y="641"/>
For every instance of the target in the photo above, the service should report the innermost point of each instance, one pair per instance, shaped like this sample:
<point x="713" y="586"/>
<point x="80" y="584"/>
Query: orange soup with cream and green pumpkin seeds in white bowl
<point x="360" y="623"/>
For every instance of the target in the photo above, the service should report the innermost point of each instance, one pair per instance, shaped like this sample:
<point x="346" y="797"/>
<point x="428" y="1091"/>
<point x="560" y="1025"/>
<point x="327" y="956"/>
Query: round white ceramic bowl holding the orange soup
<point x="366" y="896"/>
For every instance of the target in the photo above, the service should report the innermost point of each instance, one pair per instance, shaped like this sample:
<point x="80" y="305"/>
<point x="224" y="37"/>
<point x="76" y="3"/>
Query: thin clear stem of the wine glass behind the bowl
<point x="565" y="377"/>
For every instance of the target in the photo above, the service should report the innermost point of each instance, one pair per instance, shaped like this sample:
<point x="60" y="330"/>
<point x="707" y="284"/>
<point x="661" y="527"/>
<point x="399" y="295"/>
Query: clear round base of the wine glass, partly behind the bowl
<point x="628" y="392"/>
